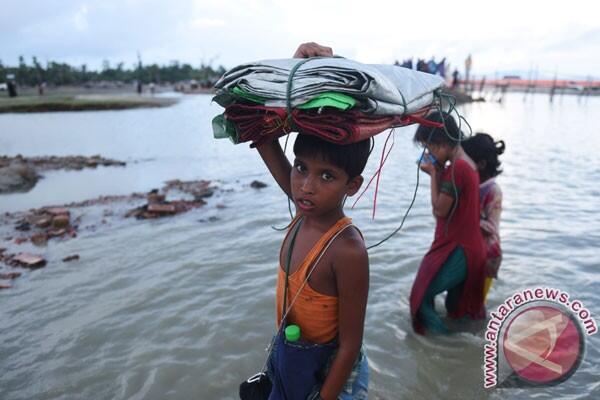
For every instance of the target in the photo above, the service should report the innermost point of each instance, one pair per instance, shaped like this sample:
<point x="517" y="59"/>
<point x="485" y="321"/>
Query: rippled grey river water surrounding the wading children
<point x="183" y="307"/>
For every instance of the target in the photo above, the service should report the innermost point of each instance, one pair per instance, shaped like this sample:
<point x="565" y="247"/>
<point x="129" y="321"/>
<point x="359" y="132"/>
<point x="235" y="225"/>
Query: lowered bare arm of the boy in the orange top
<point x="351" y="268"/>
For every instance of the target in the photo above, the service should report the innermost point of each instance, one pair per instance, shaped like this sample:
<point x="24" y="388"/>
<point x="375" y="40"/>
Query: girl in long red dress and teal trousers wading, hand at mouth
<point x="455" y="262"/>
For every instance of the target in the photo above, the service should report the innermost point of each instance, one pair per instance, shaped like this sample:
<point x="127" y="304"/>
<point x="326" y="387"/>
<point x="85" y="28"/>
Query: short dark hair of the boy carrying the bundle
<point x="352" y="158"/>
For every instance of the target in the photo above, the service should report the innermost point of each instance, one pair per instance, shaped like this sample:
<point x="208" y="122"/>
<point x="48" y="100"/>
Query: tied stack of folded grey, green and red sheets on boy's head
<point x="337" y="99"/>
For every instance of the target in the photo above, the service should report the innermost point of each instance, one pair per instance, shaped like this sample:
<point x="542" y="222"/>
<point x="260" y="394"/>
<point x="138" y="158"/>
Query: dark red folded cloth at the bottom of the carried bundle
<point x="258" y="123"/>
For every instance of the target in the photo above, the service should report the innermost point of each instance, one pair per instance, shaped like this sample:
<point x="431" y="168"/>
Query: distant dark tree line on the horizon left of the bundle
<point x="56" y="73"/>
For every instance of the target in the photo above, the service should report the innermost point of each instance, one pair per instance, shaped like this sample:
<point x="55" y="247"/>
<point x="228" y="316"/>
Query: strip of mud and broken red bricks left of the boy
<point x="25" y="237"/>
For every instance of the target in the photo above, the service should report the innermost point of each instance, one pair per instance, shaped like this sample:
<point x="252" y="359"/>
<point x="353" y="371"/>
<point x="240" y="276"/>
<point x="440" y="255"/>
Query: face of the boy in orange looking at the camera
<point x="319" y="187"/>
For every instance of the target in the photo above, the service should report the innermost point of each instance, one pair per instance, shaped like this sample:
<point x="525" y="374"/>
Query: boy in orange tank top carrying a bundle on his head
<point x="330" y="307"/>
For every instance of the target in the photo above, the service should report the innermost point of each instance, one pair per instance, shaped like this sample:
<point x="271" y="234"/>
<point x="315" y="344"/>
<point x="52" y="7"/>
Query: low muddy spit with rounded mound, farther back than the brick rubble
<point x="20" y="174"/>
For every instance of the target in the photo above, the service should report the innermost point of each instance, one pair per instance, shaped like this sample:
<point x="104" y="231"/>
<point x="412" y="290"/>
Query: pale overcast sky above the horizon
<point x="501" y="36"/>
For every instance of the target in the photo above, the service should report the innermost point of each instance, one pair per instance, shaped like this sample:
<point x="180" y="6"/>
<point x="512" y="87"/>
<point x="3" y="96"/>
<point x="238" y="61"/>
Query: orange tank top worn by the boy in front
<point x="314" y="312"/>
